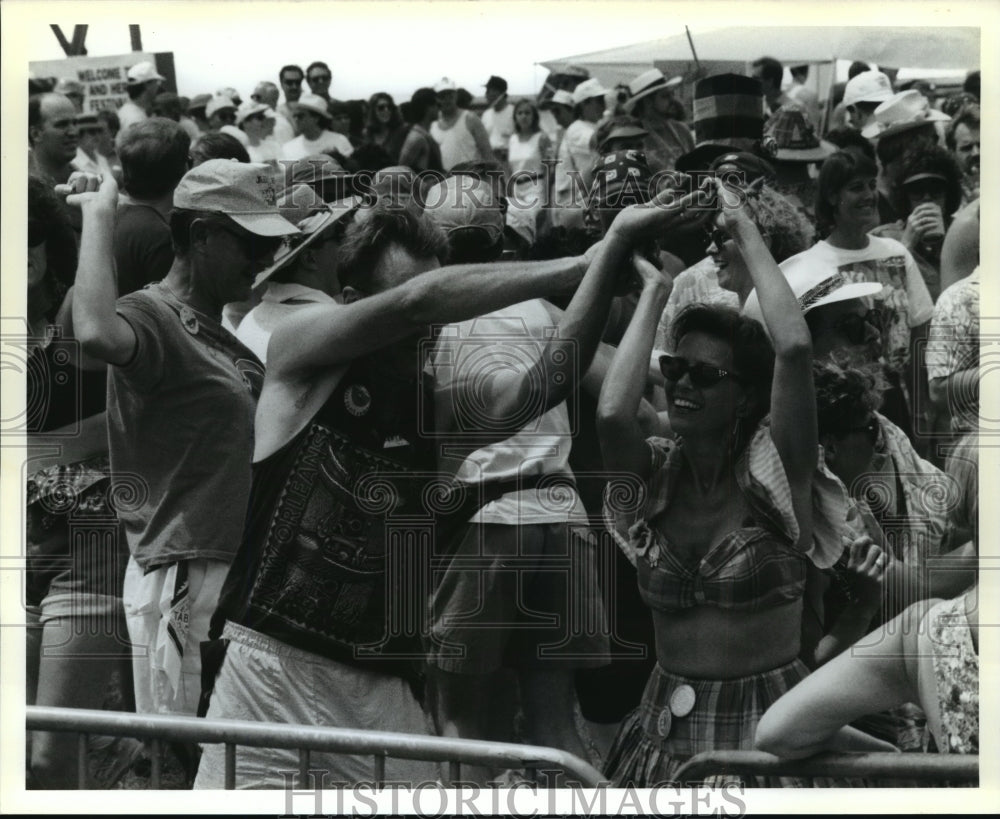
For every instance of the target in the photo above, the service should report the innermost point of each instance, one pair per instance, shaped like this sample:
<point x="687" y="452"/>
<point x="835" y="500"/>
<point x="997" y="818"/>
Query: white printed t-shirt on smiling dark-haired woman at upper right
<point x="904" y="293"/>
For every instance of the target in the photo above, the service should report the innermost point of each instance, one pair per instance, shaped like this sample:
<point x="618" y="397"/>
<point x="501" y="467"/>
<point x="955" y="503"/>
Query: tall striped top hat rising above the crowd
<point x="728" y="113"/>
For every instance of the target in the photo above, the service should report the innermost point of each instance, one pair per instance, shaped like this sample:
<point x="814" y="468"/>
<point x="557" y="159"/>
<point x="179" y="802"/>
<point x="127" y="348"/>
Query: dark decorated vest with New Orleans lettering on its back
<point x="342" y="529"/>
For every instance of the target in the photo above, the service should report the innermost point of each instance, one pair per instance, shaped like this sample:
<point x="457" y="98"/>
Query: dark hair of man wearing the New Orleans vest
<point x="374" y="231"/>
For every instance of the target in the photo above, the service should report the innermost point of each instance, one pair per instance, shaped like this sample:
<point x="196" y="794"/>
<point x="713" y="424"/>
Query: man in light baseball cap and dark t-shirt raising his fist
<point x="179" y="383"/>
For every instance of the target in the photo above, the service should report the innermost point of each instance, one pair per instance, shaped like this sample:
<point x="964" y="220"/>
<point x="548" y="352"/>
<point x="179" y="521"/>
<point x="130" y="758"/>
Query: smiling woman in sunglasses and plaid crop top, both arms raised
<point x="720" y="521"/>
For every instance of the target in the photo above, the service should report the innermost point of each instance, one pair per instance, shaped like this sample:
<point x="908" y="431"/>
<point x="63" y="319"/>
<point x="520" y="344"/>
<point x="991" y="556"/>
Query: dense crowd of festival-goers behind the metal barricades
<point x="592" y="420"/>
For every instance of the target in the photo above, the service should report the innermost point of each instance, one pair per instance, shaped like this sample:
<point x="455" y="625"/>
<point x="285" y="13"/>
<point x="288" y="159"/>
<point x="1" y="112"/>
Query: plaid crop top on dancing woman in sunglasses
<point x="753" y="568"/>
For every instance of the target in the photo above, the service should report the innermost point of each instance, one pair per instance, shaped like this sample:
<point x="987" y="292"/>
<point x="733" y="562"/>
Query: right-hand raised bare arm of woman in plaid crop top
<point x="793" y="398"/>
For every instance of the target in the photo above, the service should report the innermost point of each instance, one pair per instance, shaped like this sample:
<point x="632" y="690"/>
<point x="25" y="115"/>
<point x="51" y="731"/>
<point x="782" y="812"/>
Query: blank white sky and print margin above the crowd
<point x="394" y="47"/>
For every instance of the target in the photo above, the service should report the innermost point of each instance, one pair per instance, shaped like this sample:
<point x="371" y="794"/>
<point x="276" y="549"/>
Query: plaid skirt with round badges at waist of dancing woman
<point x="654" y="742"/>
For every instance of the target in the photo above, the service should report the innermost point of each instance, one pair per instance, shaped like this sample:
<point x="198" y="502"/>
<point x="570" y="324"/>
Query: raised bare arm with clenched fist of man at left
<point x="102" y="333"/>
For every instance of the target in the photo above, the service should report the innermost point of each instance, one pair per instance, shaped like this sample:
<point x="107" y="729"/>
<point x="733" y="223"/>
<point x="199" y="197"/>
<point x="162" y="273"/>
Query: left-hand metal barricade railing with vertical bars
<point x="158" y="728"/>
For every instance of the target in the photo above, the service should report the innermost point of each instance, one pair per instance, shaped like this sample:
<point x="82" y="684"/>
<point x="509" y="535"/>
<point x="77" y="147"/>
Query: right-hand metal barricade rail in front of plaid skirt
<point x="928" y="768"/>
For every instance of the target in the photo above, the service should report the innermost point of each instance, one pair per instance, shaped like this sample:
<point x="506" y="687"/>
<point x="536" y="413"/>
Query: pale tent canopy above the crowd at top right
<point x="729" y="49"/>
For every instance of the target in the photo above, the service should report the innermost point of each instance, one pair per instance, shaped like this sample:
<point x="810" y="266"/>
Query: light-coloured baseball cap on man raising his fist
<point x="242" y="191"/>
